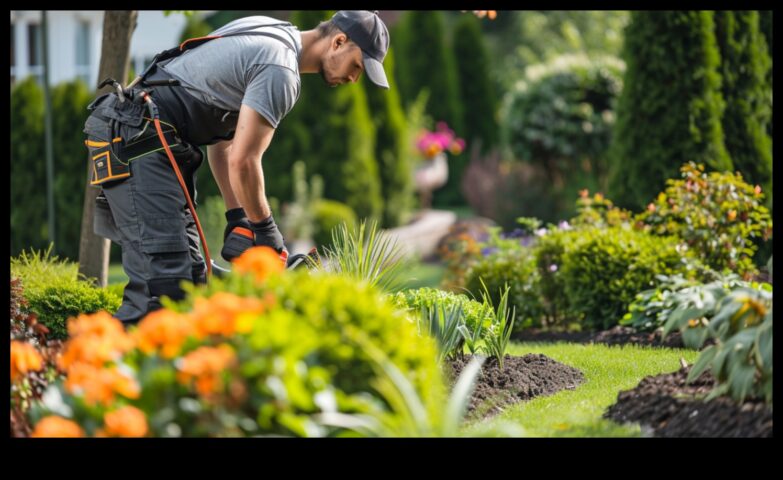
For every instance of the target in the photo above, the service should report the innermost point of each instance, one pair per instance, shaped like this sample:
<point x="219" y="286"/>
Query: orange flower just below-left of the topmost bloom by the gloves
<point x="224" y="314"/>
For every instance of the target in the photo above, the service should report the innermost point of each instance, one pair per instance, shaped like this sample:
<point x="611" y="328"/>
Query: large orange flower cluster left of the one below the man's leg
<point x="95" y="339"/>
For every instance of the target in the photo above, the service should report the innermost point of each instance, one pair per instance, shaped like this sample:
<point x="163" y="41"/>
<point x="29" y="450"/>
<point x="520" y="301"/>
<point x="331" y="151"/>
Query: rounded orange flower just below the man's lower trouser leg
<point x="165" y="330"/>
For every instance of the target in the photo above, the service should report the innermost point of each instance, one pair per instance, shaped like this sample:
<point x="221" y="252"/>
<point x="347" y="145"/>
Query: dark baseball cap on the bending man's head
<point x="366" y="29"/>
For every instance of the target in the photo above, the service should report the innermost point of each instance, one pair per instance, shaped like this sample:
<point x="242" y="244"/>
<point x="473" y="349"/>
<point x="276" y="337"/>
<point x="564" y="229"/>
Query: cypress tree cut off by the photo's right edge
<point x="744" y="68"/>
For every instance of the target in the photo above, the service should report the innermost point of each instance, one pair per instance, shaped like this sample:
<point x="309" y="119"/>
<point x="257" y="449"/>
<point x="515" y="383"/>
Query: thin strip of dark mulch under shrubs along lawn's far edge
<point x="618" y="335"/>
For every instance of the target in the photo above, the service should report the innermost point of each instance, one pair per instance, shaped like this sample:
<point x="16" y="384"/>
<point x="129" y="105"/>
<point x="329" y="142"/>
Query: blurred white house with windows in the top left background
<point x="75" y="42"/>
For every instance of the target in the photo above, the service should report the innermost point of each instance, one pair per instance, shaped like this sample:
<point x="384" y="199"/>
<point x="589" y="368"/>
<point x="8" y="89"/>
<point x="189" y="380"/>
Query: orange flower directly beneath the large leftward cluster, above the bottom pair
<point x="100" y="385"/>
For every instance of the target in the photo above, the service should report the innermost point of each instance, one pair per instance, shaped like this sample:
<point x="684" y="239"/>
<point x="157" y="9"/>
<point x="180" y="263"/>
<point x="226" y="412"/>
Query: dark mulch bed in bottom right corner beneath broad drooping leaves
<point x="666" y="406"/>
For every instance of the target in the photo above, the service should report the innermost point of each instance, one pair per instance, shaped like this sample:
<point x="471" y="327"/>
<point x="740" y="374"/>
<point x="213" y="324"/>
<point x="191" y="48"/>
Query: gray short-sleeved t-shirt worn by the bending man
<point x="258" y="71"/>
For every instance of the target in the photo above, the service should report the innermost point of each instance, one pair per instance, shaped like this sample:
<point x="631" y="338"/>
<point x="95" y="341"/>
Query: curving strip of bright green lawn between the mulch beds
<point x="607" y="370"/>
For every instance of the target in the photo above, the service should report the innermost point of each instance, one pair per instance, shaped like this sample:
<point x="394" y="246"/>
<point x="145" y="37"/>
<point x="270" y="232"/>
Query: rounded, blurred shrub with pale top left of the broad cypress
<point x="561" y="117"/>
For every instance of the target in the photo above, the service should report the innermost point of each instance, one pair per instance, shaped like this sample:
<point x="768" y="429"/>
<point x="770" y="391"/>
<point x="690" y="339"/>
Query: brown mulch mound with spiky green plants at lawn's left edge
<point x="522" y="378"/>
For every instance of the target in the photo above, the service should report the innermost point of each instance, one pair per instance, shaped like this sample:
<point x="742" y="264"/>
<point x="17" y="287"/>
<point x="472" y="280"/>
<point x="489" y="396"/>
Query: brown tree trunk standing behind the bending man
<point x="118" y="28"/>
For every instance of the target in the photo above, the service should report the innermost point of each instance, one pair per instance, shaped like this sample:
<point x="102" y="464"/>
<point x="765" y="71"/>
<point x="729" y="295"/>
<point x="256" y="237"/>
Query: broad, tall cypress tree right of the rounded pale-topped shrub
<point x="670" y="109"/>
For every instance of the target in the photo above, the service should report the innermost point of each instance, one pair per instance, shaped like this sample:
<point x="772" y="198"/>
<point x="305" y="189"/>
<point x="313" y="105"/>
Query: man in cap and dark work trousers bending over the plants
<point x="232" y="93"/>
